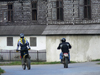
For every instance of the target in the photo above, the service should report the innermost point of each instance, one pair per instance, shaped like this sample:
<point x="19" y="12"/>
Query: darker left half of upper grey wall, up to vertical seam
<point x="22" y="13"/>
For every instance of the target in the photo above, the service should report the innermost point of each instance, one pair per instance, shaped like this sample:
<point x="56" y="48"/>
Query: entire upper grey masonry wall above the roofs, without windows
<point x="46" y="12"/>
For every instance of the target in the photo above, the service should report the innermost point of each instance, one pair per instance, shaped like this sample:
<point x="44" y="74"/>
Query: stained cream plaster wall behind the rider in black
<point x="84" y="47"/>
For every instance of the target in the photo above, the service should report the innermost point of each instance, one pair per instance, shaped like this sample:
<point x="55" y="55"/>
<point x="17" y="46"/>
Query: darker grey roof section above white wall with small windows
<point x="16" y="30"/>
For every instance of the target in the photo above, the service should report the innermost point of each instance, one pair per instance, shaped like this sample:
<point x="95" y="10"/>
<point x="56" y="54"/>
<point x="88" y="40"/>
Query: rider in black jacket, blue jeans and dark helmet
<point x="64" y="46"/>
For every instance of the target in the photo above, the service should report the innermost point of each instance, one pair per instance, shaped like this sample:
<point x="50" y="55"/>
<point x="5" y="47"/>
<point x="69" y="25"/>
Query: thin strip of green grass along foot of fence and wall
<point x="32" y="63"/>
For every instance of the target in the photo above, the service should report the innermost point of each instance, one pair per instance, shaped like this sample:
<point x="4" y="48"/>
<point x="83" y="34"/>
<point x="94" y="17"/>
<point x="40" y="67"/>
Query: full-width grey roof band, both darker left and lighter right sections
<point x="49" y="30"/>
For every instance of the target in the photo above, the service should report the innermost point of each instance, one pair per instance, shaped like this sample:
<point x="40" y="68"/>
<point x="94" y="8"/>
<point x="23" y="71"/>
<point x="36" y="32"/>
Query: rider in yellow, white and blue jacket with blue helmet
<point x="24" y="45"/>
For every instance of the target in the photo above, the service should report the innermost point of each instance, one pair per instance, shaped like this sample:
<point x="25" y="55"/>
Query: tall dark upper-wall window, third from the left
<point x="59" y="6"/>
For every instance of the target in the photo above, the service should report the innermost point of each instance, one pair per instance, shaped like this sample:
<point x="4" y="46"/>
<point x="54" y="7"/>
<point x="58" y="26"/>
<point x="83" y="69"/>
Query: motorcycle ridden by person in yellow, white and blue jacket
<point x="25" y="60"/>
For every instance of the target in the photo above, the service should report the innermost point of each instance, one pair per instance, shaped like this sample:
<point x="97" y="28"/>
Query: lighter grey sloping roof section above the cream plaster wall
<point x="71" y="29"/>
